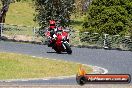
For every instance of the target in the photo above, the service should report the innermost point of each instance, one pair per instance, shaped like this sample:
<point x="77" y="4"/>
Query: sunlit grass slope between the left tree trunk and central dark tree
<point x="21" y="13"/>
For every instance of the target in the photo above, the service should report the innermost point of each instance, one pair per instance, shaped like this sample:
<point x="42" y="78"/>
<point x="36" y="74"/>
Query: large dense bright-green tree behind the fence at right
<point x="109" y="16"/>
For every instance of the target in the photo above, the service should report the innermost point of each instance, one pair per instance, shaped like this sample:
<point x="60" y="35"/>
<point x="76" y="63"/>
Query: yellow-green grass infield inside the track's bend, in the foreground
<point x="17" y="66"/>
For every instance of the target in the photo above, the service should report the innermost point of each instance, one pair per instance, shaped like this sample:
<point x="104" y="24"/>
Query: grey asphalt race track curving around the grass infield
<point x="117" y="62"/>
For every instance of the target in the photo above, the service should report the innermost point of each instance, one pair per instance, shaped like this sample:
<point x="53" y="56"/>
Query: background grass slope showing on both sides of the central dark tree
<point x="21" y="13"/>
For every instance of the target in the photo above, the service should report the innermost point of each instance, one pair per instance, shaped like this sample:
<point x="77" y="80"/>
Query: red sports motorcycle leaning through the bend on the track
<point x="59" y="42"/>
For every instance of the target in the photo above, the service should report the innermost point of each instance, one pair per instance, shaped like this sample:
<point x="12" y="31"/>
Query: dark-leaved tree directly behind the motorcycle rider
<point x="53" y="9"/>
